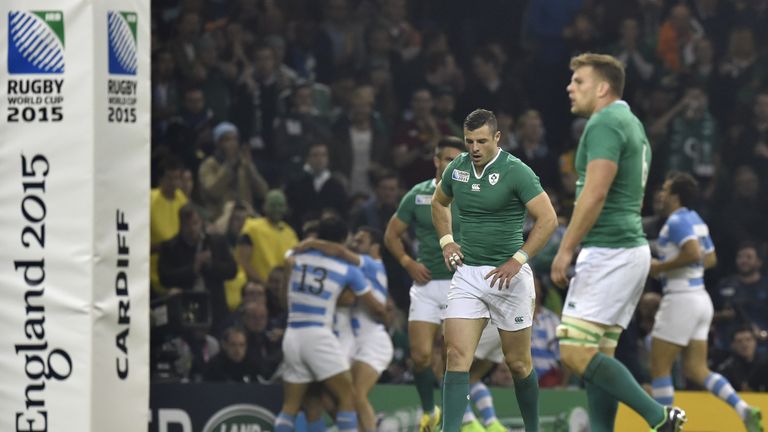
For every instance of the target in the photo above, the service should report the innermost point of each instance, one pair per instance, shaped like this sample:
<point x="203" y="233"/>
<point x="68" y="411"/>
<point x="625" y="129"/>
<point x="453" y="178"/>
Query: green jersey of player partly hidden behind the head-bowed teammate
<point x="416" y="210"/>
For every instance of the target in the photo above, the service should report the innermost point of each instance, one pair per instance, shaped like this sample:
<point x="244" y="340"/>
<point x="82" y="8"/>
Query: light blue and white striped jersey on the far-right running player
<point x="681" y="226"/>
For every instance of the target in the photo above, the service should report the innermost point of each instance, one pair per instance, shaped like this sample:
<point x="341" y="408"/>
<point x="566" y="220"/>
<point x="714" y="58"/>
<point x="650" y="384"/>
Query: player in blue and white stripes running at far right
<point x="686" y="250"/>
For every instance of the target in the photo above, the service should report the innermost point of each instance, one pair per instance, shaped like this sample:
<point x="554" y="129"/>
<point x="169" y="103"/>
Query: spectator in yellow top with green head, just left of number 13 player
<point x="265" y="240"/>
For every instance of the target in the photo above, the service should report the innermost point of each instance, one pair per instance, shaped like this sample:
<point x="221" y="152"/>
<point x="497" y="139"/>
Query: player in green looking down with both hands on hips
<point x="493" y="191"/>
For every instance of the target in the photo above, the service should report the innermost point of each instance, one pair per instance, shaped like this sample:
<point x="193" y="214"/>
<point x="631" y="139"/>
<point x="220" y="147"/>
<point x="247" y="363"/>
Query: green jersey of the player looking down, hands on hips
<point x="491" y="205"/>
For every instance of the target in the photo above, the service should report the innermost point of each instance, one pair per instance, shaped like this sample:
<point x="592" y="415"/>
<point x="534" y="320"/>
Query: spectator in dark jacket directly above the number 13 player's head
<point x="316" y="189"/>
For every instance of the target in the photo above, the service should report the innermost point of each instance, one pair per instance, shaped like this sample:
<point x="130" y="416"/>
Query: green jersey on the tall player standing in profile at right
<point x="615" y="134"/>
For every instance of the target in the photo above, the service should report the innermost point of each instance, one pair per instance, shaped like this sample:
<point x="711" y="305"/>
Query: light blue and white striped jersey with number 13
<point x="316" y="282"/>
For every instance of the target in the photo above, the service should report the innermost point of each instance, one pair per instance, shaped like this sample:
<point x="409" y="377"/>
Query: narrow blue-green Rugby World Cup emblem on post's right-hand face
<point x="121" y="27"/>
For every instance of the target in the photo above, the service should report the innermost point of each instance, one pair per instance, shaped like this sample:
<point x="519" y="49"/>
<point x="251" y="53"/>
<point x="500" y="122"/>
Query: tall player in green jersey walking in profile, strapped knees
<point x="612" y="162"/>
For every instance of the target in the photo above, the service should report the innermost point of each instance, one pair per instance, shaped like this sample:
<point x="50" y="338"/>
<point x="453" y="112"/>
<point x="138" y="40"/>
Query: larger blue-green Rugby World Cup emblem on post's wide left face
<point x="35" y="42"/>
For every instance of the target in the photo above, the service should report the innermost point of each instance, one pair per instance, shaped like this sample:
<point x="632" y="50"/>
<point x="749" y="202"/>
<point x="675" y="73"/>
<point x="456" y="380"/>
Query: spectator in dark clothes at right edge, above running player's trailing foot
<point x="744" y="368"/>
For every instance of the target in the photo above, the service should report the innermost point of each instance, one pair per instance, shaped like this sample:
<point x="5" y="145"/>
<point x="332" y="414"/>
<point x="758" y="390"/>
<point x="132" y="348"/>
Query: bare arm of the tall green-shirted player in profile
<point x="599" y="177"/>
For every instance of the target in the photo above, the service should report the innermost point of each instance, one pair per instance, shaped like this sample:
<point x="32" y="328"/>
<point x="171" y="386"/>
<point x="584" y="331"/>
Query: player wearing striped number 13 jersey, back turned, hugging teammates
<point x="310" y="349"/>
